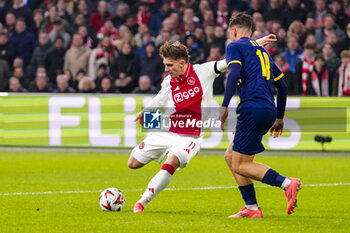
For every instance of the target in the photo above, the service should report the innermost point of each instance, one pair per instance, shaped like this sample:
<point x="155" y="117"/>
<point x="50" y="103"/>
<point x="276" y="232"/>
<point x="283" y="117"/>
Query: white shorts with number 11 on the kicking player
<point x="155" y="146"/>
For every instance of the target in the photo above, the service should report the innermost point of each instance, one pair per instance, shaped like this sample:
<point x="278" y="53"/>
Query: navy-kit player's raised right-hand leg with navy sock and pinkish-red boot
<point x="245" y="166"/>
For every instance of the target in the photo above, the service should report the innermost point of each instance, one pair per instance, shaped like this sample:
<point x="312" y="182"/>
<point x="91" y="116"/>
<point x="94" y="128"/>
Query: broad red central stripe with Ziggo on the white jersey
<point x="187" y="94"/>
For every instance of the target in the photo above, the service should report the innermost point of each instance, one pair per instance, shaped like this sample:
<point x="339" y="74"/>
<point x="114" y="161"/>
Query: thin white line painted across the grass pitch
<point x="168" y="189"/>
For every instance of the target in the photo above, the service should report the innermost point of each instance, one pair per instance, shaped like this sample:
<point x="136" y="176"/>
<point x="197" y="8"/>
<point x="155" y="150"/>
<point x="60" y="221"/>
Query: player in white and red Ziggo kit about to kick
<point x="185" y="87"/>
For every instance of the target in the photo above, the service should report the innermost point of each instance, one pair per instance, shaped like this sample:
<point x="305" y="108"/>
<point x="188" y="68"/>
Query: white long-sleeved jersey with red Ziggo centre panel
<point x="186" y="96"/>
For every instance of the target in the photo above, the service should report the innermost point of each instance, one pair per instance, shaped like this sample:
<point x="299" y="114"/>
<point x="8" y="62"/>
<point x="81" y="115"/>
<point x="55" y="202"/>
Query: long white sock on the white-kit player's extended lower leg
<point x="157" y="184"/>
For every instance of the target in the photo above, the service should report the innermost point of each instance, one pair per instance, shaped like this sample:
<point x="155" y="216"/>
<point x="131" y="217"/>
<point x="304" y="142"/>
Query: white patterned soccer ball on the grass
<point x="111" y="199"/>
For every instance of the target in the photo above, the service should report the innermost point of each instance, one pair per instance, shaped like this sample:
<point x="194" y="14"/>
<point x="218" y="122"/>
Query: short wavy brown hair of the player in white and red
<point x="174" y="50"/>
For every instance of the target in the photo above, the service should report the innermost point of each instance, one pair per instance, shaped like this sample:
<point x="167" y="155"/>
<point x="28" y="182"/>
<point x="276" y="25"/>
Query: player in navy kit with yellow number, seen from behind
<point x="253" y="73"/>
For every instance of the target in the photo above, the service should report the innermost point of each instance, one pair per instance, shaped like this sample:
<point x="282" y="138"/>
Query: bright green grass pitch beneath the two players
<point x="321" y="208"/>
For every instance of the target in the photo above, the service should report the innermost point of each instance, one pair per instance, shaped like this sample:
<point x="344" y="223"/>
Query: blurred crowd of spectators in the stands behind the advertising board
<point x="87" y="46"/>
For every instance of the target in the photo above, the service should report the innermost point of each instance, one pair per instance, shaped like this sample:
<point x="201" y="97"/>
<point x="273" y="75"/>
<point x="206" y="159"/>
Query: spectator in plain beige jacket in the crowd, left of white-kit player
<point x="77" y="57"/>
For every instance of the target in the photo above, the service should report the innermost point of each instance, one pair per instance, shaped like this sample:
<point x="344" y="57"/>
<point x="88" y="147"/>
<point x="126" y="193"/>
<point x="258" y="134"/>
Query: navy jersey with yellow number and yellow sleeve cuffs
<point x="258" y="73"/>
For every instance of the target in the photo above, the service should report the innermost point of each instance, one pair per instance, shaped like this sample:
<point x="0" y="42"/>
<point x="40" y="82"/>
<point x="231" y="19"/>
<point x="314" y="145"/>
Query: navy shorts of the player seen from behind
<point x="252" y="125"/>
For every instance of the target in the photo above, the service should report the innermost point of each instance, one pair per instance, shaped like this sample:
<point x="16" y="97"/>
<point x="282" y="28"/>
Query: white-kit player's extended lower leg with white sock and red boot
<point x="159" y="182"/>
